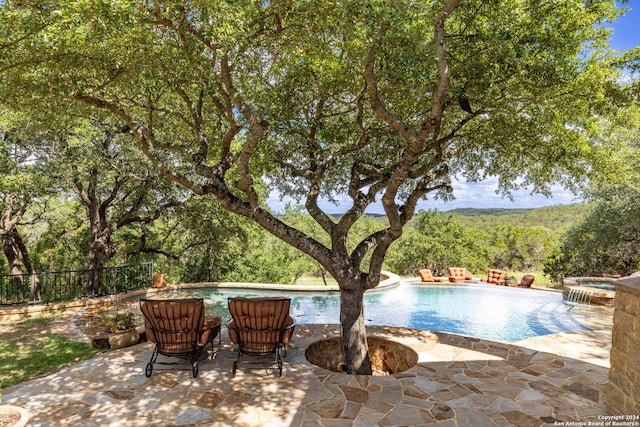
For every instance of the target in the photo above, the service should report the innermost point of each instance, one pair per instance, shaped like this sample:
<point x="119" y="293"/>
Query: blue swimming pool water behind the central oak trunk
<point x="484" y="311"/>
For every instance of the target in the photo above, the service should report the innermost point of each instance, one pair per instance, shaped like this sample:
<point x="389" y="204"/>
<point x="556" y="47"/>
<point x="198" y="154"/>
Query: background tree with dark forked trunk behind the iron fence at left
<point x="116" y="187"/>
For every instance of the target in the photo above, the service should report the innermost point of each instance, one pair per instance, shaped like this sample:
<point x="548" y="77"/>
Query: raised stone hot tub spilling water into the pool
<point x="589" y="290"/>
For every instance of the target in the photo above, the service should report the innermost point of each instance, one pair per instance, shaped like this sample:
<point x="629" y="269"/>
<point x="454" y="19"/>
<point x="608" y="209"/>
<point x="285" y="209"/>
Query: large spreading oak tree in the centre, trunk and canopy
<point x="369" y="102"/>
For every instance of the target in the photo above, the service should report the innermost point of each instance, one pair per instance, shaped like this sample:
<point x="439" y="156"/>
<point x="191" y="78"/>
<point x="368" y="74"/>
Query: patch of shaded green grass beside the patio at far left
<point x="29" y="349"/>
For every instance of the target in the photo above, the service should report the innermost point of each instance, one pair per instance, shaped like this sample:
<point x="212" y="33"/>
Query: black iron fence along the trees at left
<point x="73" y="284"/>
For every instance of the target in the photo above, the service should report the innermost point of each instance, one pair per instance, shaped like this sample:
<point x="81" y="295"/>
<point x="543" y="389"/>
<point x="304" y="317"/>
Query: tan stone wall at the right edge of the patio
<point x="624" y="375"/>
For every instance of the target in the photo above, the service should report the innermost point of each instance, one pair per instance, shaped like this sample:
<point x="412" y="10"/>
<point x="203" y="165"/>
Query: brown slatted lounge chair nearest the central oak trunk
<point x="260" y="327"/>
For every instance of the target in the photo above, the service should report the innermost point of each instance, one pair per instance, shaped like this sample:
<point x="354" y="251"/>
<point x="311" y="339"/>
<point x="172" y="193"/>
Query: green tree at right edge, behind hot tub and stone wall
<point x="605" y="241"/>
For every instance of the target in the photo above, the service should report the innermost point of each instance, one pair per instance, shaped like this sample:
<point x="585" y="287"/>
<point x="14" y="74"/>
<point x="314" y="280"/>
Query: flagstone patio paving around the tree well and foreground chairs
<point x="458" y="381"/>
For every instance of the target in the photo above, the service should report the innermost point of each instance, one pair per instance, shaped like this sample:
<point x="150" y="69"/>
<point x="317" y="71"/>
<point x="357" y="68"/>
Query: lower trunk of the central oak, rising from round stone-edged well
<point x="354" y="335"/>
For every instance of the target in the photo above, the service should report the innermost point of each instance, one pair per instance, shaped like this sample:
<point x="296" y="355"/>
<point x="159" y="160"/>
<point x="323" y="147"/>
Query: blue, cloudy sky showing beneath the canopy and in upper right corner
<point x="626" y="35"/>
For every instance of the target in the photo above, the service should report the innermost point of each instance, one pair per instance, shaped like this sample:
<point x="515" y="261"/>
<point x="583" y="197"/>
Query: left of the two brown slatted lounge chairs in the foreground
<point x="179" y="328"/>
